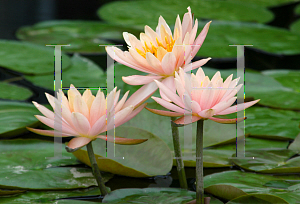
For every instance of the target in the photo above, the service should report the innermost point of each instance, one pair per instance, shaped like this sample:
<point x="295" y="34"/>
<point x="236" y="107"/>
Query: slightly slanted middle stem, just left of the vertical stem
<point x="178" y="156"/>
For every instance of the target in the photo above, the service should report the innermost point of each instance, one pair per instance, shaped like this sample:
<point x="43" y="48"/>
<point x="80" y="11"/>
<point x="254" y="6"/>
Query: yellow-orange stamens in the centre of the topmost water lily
<point x="159" y="51"/>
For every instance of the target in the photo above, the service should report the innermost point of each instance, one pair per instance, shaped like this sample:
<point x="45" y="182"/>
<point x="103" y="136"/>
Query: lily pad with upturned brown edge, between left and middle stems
<point x="150" y="158"/>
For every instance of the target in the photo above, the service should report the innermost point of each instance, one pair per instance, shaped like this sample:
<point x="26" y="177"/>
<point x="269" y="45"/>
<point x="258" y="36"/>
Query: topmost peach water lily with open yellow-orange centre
<point x="161" y="53"/>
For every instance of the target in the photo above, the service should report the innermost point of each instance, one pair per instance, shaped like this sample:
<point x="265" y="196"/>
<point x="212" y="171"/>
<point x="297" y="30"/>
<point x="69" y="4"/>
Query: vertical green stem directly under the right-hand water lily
<point x="199" y="163"/>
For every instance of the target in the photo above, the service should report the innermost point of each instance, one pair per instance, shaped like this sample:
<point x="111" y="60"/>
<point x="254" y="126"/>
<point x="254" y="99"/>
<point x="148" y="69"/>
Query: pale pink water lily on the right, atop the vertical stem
<point x="201" y="98"/>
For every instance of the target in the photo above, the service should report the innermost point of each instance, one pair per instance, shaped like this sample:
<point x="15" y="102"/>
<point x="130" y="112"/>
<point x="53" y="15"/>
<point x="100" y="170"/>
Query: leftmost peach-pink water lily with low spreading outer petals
<point x="86" y="116"/>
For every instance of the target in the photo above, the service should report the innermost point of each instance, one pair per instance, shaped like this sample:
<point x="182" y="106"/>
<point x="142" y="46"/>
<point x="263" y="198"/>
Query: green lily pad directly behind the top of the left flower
<point x="82" y="73"/>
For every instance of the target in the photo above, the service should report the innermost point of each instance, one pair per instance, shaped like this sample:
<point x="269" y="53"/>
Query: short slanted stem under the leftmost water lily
<point x="96" y="171"/>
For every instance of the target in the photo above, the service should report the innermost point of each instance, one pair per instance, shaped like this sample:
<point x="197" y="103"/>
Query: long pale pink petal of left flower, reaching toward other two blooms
<point x="141" y="95"/>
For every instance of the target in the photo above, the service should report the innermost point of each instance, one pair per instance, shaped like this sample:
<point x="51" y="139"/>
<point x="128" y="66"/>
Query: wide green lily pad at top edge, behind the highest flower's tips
<point x="141" y="13"/>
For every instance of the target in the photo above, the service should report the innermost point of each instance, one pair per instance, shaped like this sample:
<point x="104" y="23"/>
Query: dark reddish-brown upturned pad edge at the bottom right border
<point x="257" y="198"/>
